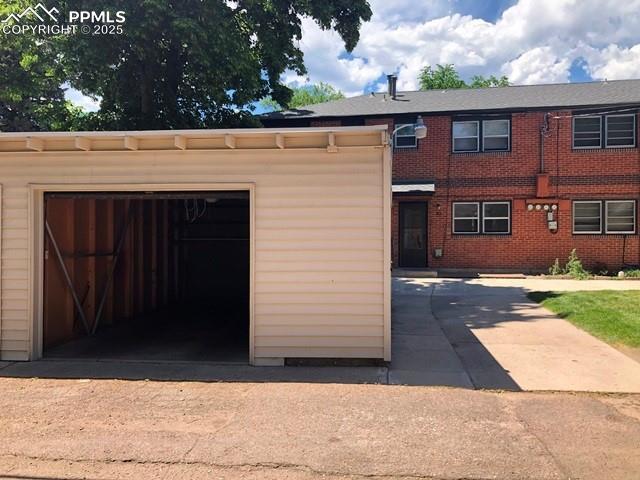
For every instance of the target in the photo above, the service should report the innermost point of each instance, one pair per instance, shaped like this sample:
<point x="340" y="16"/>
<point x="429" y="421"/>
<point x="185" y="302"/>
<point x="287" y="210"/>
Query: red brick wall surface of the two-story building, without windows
<point x="574" y="174"/>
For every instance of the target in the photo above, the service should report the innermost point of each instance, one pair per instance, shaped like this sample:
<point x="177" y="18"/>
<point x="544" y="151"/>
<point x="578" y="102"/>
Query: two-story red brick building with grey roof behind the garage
<point x="507" y="178"/>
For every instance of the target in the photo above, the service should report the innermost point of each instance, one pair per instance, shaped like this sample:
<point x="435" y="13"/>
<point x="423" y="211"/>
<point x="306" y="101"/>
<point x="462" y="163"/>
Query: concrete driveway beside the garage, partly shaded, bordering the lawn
<point x="486" y="333"/>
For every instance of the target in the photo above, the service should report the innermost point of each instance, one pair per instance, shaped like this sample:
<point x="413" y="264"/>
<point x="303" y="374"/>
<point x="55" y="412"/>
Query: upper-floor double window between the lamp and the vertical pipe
<point x="481" y="135"/>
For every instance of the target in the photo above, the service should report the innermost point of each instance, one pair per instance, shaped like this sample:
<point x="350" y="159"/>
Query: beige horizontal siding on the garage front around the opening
<point x="319" y="238"/>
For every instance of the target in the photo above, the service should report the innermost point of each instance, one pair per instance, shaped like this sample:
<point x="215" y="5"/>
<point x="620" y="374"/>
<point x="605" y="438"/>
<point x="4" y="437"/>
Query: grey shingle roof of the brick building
<point x="592" y="94"/>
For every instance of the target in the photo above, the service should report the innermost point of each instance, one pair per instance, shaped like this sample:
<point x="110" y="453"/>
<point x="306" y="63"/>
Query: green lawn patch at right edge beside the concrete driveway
<point x="613" y="316"/>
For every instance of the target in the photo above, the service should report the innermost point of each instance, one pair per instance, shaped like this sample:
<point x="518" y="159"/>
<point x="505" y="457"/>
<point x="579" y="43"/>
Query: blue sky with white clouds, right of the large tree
<point x="533" y="41"/>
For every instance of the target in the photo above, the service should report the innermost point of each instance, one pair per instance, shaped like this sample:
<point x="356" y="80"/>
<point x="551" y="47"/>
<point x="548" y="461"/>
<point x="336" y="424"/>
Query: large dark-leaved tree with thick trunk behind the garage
<point x="195" y="63"/>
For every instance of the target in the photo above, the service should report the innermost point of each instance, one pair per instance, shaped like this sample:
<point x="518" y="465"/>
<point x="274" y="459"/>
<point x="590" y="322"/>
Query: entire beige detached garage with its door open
<point x="235" y="246"/>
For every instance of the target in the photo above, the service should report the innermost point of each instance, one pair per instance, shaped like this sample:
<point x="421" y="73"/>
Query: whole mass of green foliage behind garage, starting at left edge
<point x="187" y="64"/>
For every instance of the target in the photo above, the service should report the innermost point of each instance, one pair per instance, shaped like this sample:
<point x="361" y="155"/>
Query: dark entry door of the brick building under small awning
<point x="413" y="234"/>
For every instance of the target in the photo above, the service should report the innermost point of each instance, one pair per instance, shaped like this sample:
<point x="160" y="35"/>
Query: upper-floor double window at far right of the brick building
<point x="604" y="131"/>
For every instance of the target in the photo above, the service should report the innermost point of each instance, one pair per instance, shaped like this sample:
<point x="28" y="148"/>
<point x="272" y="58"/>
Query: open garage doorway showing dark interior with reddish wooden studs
<point x="147" y="276"/>
